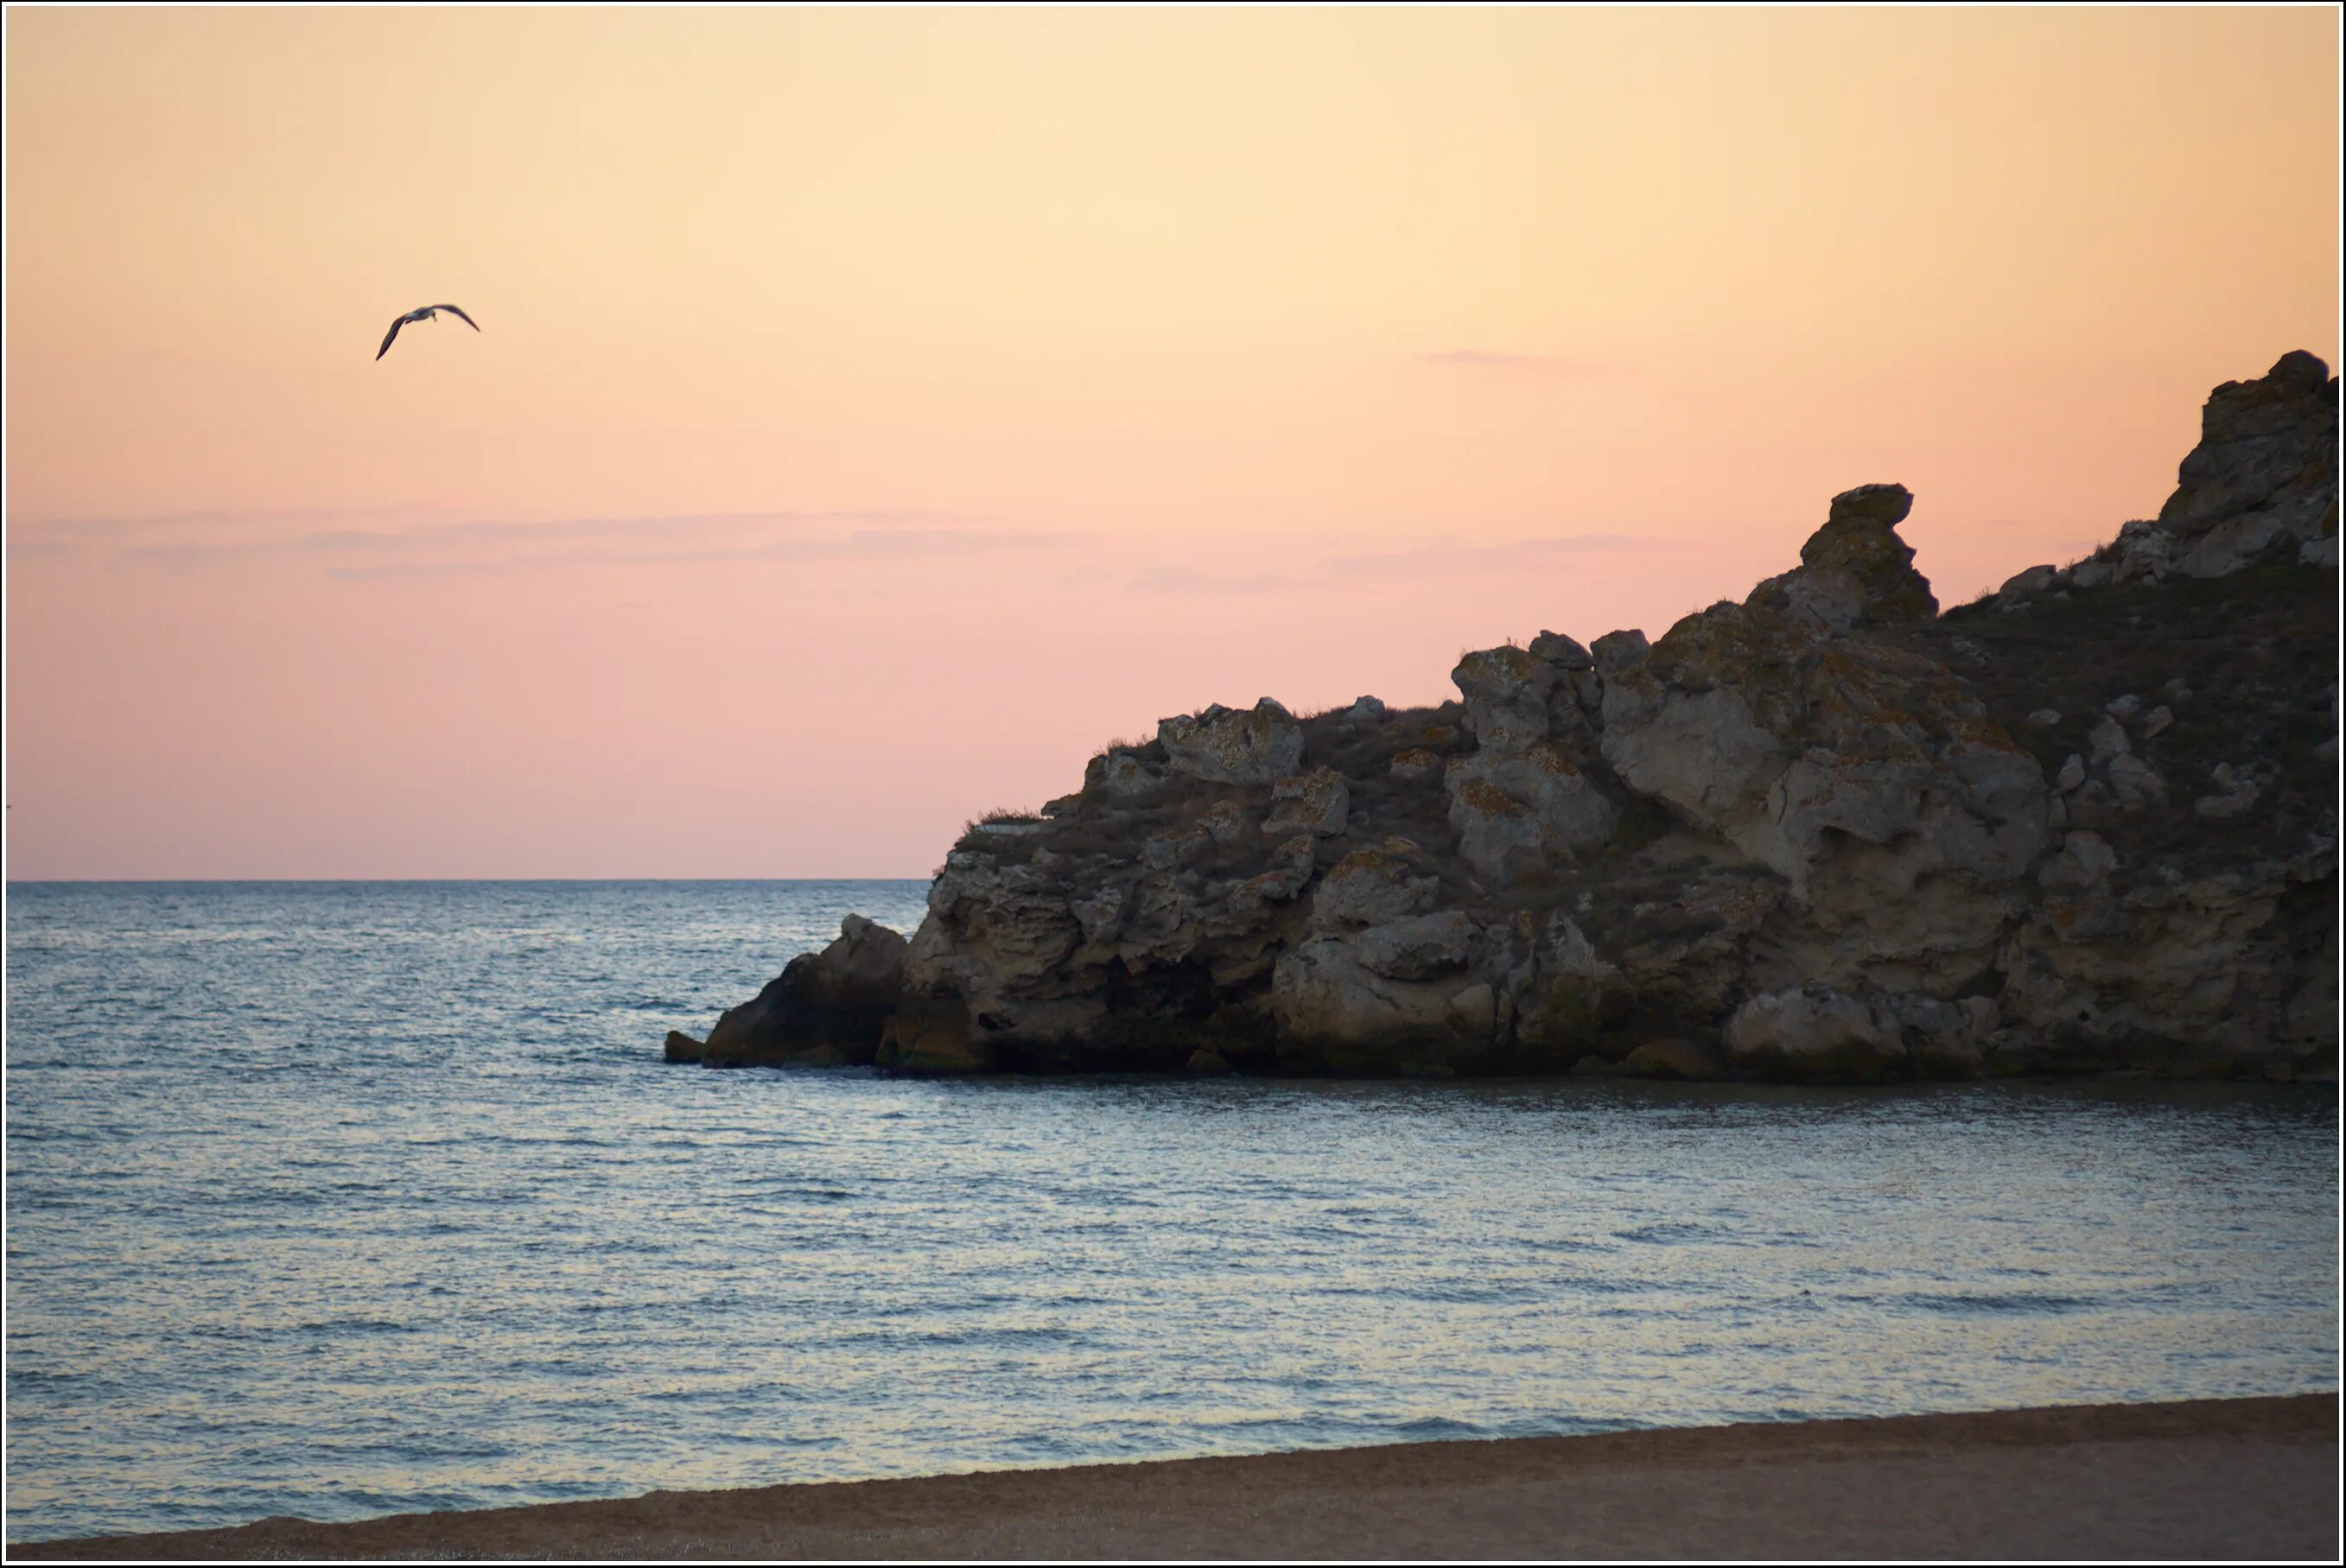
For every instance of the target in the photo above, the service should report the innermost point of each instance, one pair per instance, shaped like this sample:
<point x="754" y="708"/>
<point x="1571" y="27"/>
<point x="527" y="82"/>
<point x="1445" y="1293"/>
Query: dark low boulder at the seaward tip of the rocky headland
<point x="839" y="997"/>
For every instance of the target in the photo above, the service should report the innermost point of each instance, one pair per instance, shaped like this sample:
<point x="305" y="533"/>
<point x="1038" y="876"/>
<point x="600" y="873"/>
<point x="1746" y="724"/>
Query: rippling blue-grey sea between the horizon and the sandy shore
<point x="355" y="1199"/>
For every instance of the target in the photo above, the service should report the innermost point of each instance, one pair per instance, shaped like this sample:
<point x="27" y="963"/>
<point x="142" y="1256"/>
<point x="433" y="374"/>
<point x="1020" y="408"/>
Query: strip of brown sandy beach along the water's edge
<point x="2199" y="1480"/>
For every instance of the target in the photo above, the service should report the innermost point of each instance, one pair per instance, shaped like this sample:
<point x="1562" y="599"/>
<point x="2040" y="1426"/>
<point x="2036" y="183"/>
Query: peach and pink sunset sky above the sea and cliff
<point x="876" y="411"/>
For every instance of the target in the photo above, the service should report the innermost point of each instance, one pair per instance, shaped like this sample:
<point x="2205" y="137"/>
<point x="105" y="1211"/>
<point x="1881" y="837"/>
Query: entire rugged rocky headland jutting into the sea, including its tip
<point x="2084" y="824"/>
